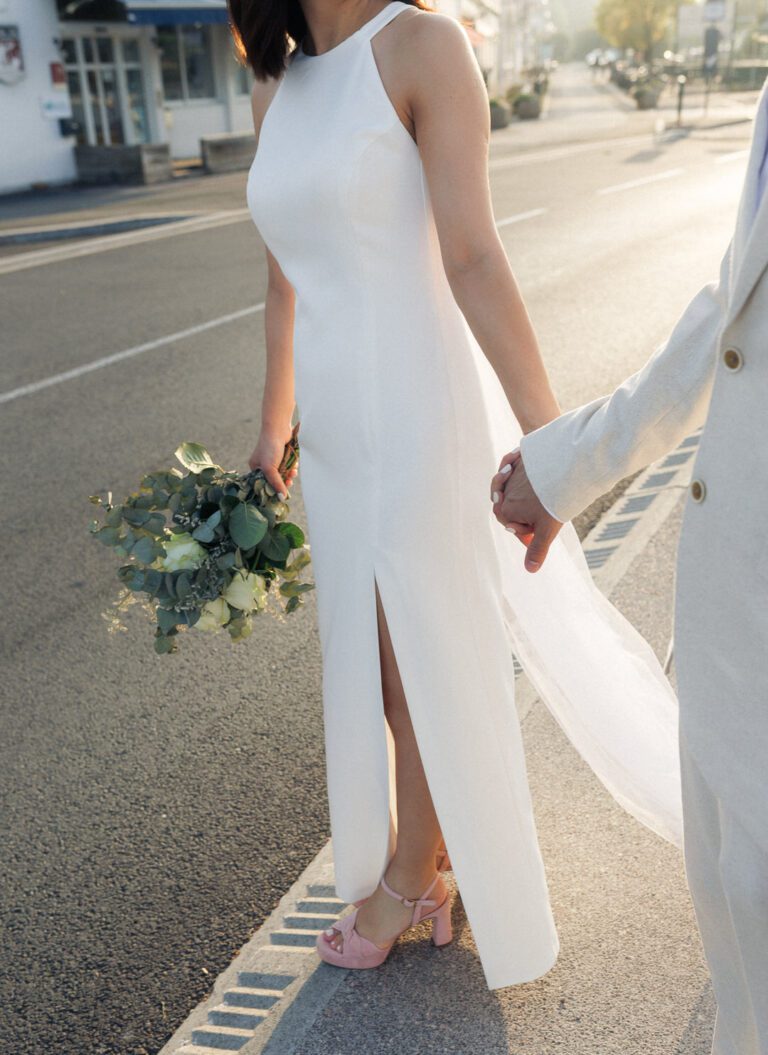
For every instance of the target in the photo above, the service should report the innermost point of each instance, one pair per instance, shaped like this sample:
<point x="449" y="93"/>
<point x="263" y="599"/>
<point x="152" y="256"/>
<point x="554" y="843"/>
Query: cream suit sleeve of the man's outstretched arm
<point x="580" y="456"/>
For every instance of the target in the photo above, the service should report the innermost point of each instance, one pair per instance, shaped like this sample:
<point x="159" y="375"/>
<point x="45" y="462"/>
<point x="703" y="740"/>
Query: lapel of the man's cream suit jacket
<point x="751" y="243"/>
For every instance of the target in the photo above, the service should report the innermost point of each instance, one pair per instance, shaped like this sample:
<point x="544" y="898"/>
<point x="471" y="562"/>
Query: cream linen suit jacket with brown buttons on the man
<point x="713" y="372"/>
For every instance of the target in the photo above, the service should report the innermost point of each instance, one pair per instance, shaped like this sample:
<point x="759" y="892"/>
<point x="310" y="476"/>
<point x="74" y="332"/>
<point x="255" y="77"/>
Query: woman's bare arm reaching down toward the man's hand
<point x="438" y="91"/>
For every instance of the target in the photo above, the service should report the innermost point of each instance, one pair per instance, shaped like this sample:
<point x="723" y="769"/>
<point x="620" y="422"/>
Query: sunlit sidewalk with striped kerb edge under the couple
<point x="630" y="980"/>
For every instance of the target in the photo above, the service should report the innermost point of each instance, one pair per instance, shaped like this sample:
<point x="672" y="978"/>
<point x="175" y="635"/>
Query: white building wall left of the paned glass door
<point x="32" y="148"/>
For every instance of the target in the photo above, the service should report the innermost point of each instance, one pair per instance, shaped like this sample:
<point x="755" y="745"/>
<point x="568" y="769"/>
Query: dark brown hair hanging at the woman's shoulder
<point x="264" y="31"/>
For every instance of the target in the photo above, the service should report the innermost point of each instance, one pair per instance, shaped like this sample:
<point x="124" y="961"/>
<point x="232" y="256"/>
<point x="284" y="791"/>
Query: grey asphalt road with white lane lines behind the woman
<point x="156" y="809"/>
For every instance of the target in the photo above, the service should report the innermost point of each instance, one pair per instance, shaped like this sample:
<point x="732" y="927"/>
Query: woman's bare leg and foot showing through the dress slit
<point x="413" y="866"/>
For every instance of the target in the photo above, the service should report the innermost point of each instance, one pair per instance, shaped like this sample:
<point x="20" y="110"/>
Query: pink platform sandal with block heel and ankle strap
<point x="360" y="953"/>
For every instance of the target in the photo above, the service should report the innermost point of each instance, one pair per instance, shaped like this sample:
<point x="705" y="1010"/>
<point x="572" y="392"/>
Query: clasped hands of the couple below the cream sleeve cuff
<point x="519" y="509"/>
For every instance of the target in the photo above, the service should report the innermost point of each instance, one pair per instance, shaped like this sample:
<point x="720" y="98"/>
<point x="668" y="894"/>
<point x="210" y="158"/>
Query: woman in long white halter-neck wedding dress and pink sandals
<point x="394" y="321"/>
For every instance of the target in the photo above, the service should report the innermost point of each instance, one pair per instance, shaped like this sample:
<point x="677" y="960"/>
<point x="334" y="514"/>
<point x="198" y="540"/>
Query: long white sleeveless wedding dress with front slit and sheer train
<point x="404" y="424"/>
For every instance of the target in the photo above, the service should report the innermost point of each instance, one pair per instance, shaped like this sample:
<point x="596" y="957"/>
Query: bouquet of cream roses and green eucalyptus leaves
<point x="207" y="548"/>
